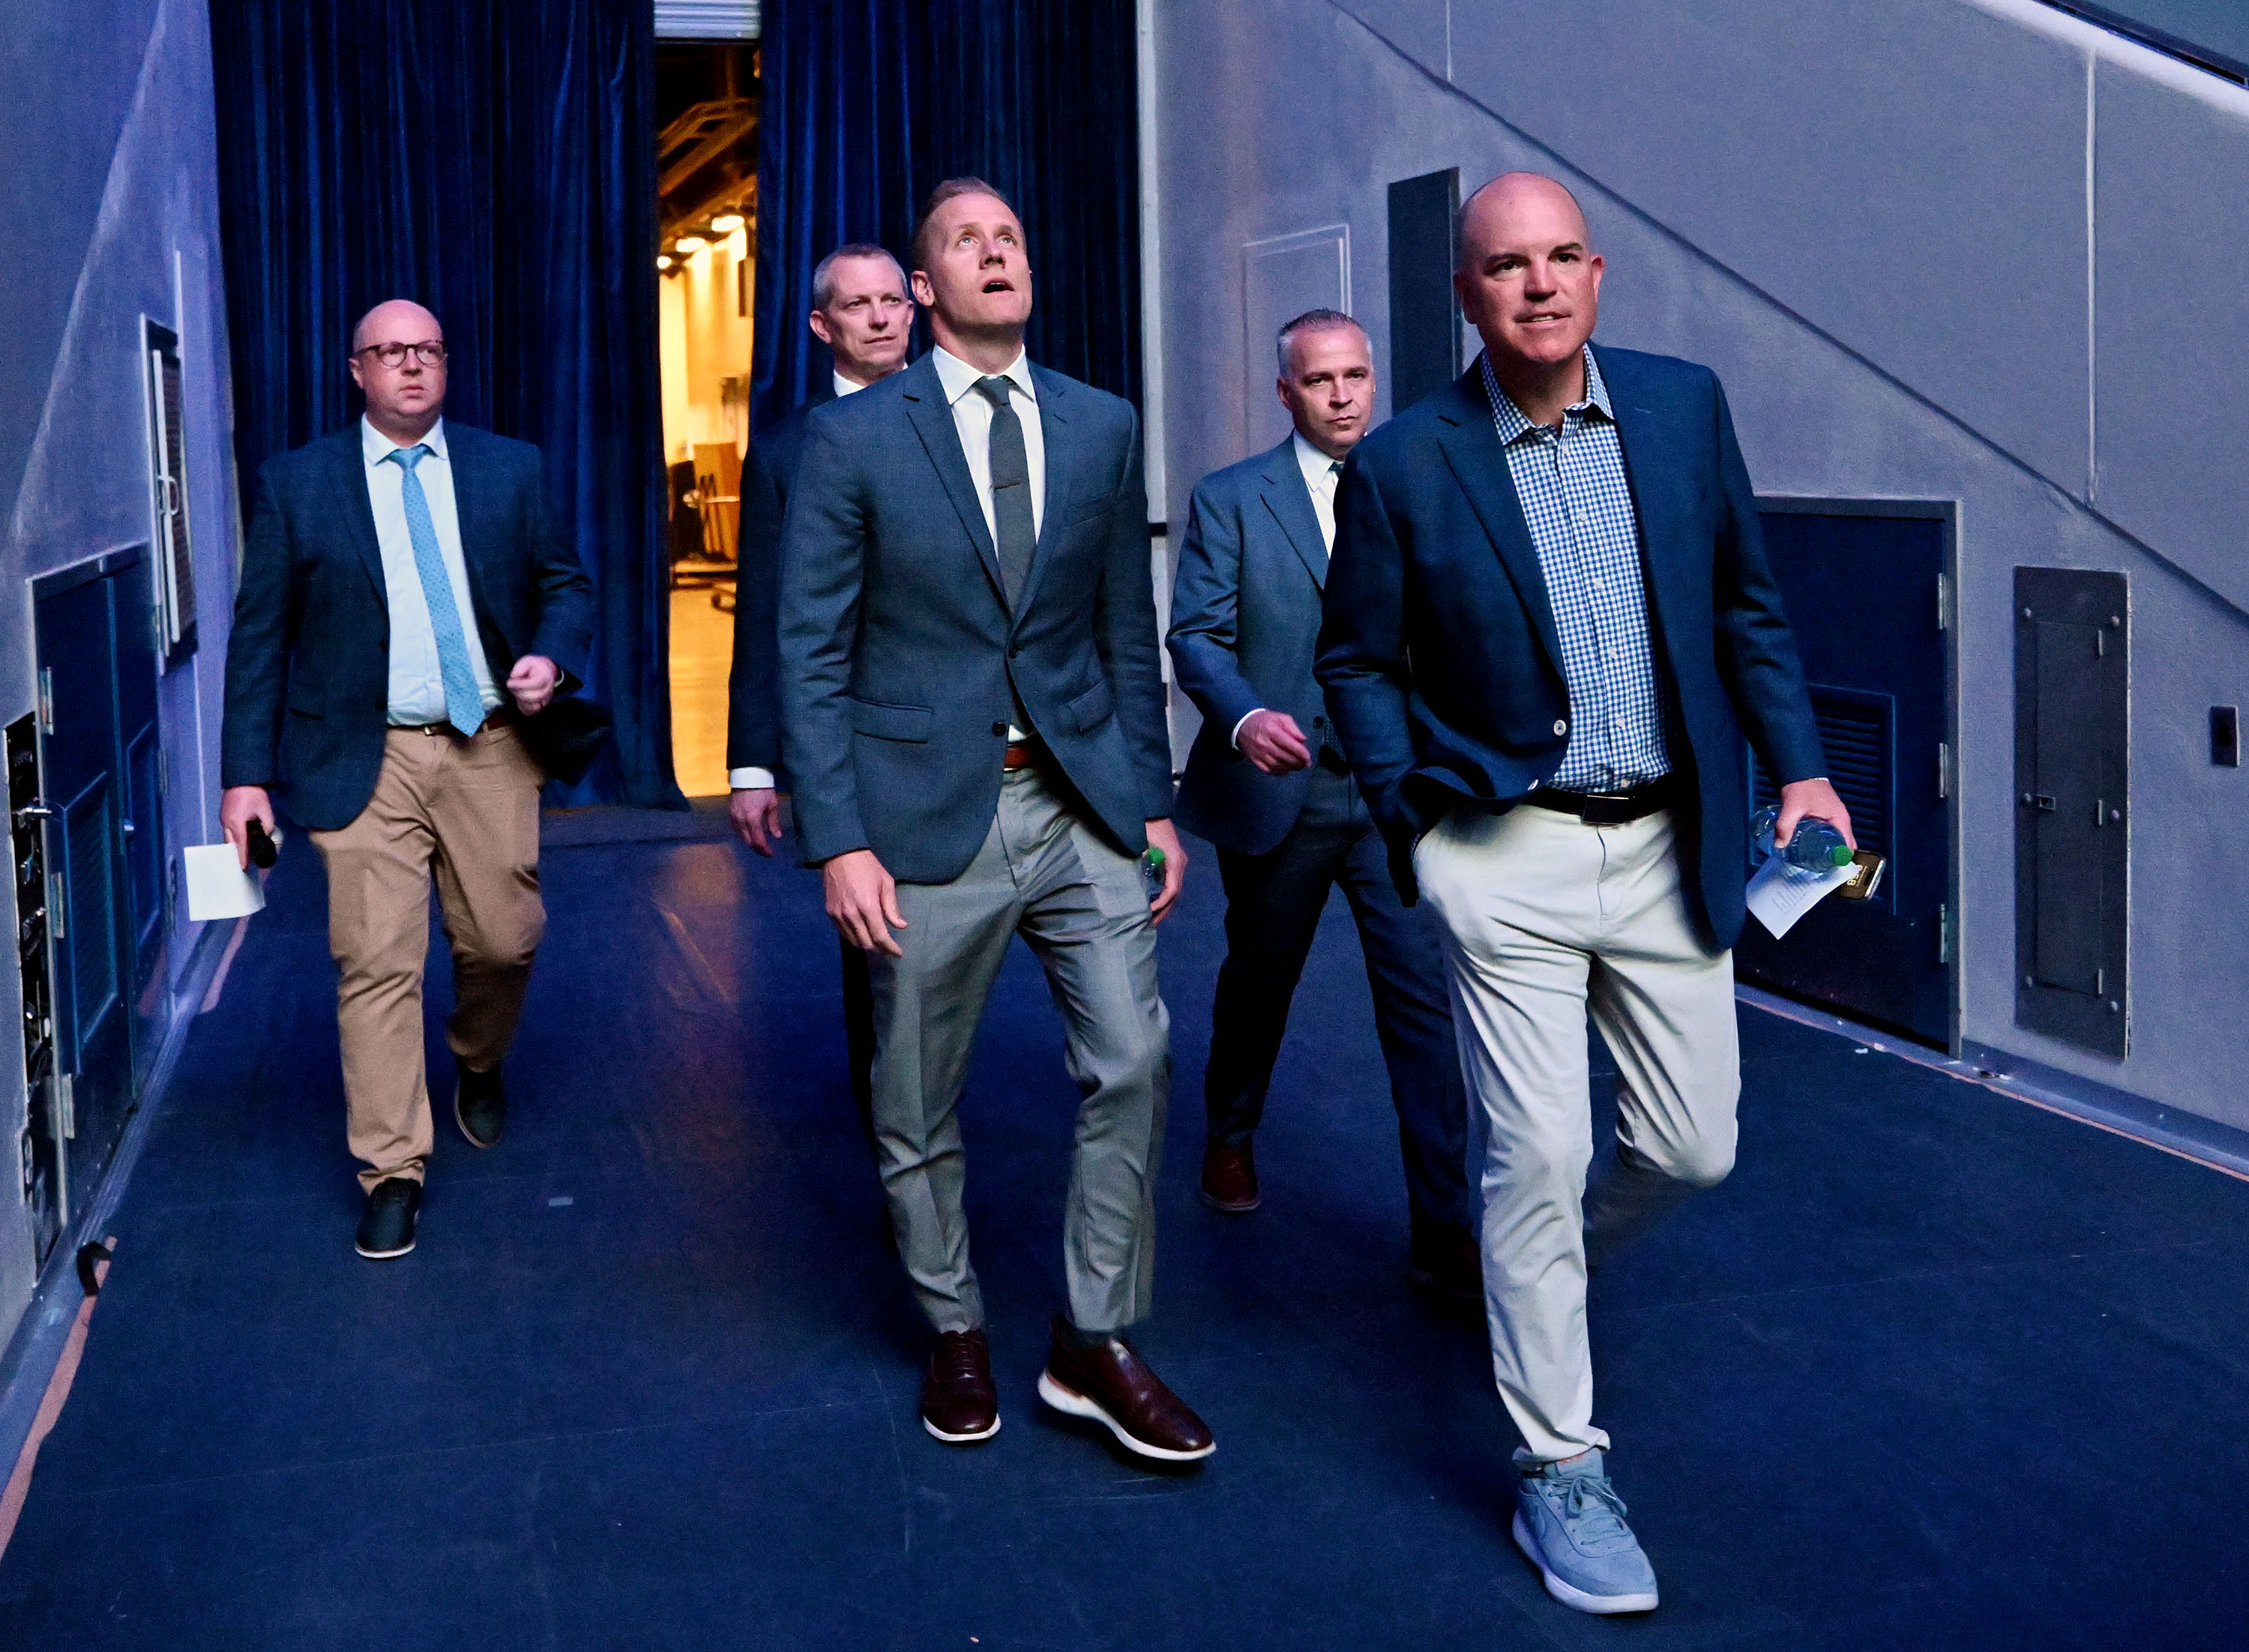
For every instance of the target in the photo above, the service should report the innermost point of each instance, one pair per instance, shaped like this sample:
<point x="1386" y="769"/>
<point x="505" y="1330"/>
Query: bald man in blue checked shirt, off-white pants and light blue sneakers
<point x="1548" y="628"/>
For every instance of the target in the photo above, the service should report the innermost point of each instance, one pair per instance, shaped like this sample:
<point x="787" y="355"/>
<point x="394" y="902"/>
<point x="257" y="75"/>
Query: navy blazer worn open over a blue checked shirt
<point x="1440" y="657"/>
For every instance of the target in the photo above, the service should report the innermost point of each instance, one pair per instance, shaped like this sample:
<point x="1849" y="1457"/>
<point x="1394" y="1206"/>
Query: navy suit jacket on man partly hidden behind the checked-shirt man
<point x="1245" y="626"/>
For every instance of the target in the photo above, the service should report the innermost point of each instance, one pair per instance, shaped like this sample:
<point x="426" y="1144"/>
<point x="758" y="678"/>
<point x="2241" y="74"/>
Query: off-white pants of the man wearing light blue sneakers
<point x="1546" y="918"/>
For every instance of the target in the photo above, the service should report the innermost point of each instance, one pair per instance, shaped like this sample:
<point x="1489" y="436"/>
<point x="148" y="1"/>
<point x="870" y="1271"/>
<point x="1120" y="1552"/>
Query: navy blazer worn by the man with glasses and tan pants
<point x="309" y="657"/>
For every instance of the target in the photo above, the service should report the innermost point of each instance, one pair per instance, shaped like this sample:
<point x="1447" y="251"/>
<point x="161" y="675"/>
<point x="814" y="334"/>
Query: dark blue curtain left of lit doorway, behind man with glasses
<point x="496" y="163"/>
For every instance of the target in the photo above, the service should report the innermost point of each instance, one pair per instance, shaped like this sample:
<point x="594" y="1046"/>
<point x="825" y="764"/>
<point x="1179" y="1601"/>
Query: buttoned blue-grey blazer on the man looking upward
<point x="898" y="648"/>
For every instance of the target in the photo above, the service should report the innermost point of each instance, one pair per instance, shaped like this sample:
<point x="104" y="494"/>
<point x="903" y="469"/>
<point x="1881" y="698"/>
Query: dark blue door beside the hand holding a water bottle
<point x="1866" y="590"/>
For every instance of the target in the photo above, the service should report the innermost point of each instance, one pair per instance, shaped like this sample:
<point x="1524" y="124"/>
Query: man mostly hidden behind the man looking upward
<point x="862" y="314"/>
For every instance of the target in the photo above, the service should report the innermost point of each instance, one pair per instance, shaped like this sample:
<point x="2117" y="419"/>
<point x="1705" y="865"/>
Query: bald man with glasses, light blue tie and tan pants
<point x="408" y="594"/>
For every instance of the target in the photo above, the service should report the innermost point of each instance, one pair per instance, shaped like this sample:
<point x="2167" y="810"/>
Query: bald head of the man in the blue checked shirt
<point x="1530" y="284"/>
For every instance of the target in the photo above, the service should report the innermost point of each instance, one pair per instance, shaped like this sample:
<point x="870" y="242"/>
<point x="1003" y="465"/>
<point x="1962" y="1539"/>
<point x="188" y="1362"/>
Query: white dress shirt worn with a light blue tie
<point x="417" y="689"/>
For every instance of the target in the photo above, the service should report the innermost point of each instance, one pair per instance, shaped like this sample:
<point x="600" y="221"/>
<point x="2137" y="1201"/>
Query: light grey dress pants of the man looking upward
<point x="1054" y="880"/>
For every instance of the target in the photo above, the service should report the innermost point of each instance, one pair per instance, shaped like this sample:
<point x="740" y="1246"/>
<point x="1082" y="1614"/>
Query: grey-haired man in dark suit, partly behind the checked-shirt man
<point x="1270" y="786"/>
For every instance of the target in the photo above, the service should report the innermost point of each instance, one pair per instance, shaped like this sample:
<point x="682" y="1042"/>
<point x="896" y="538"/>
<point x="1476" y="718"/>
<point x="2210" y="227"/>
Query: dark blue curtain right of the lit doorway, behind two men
<point x="867" y="105"/>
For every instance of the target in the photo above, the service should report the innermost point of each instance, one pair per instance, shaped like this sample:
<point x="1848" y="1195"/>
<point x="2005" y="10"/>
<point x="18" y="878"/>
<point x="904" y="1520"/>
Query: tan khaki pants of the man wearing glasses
<point x="467" y="813"/>
